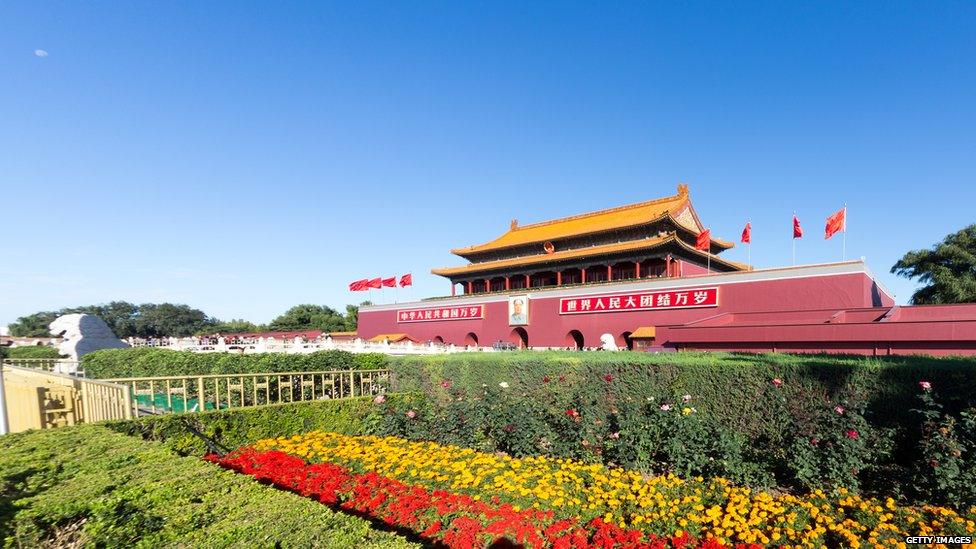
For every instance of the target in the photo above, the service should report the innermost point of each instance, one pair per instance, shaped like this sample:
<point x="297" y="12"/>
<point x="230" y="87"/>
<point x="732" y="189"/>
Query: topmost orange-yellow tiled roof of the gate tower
<point x="587" y="223"/>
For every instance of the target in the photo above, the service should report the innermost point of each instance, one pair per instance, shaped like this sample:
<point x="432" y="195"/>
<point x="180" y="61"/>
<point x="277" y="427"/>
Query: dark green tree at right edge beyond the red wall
<point x="948" y="270"/>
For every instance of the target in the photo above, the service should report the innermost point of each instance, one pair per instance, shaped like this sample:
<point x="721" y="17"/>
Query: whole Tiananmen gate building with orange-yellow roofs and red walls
<point x="634" y="274"/>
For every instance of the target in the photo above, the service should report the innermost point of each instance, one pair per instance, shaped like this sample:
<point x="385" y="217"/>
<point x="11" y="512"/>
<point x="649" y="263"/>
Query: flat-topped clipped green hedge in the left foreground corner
<point x="90" y="486"/>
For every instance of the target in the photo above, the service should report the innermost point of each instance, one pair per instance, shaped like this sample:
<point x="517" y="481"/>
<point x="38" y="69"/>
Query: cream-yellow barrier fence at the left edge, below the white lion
<point x="35" y="399"/>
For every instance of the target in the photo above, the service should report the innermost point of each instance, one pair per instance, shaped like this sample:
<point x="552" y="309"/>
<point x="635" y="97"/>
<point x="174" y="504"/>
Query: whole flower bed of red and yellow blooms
<point x="540" y="492"/>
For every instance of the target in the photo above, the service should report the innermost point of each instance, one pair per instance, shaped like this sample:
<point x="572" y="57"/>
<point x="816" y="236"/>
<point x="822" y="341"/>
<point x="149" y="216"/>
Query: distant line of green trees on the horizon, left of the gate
<point x="150" y="320"/>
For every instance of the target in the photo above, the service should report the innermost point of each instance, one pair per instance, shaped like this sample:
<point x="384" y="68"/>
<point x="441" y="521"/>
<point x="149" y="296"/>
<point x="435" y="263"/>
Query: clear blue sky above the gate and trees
<point x="244" y="157"/>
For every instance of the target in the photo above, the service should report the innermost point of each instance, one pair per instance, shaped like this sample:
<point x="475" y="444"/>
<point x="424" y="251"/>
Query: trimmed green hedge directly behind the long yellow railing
<point x="146" y="362"/>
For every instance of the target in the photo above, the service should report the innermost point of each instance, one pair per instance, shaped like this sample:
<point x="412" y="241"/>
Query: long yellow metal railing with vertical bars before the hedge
<point x="192" y="393"/>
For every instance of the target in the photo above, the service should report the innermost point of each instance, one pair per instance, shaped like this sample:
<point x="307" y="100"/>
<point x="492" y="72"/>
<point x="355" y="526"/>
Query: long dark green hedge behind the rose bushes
<point x="730" y="387"/>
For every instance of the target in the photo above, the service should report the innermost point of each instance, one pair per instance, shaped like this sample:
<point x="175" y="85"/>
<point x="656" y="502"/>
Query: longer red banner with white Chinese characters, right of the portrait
<point x="642" y="301"/>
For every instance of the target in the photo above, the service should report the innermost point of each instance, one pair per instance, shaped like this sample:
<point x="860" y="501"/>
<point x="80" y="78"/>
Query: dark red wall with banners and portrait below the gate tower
<point x="837" y="308"/>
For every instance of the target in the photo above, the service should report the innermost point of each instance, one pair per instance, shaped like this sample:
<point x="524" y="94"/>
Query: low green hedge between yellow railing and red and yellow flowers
<point x="235" y="428"/>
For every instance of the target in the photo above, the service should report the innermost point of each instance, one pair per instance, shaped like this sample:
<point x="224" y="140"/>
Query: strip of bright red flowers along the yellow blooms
<point x="455" y="520"/>
